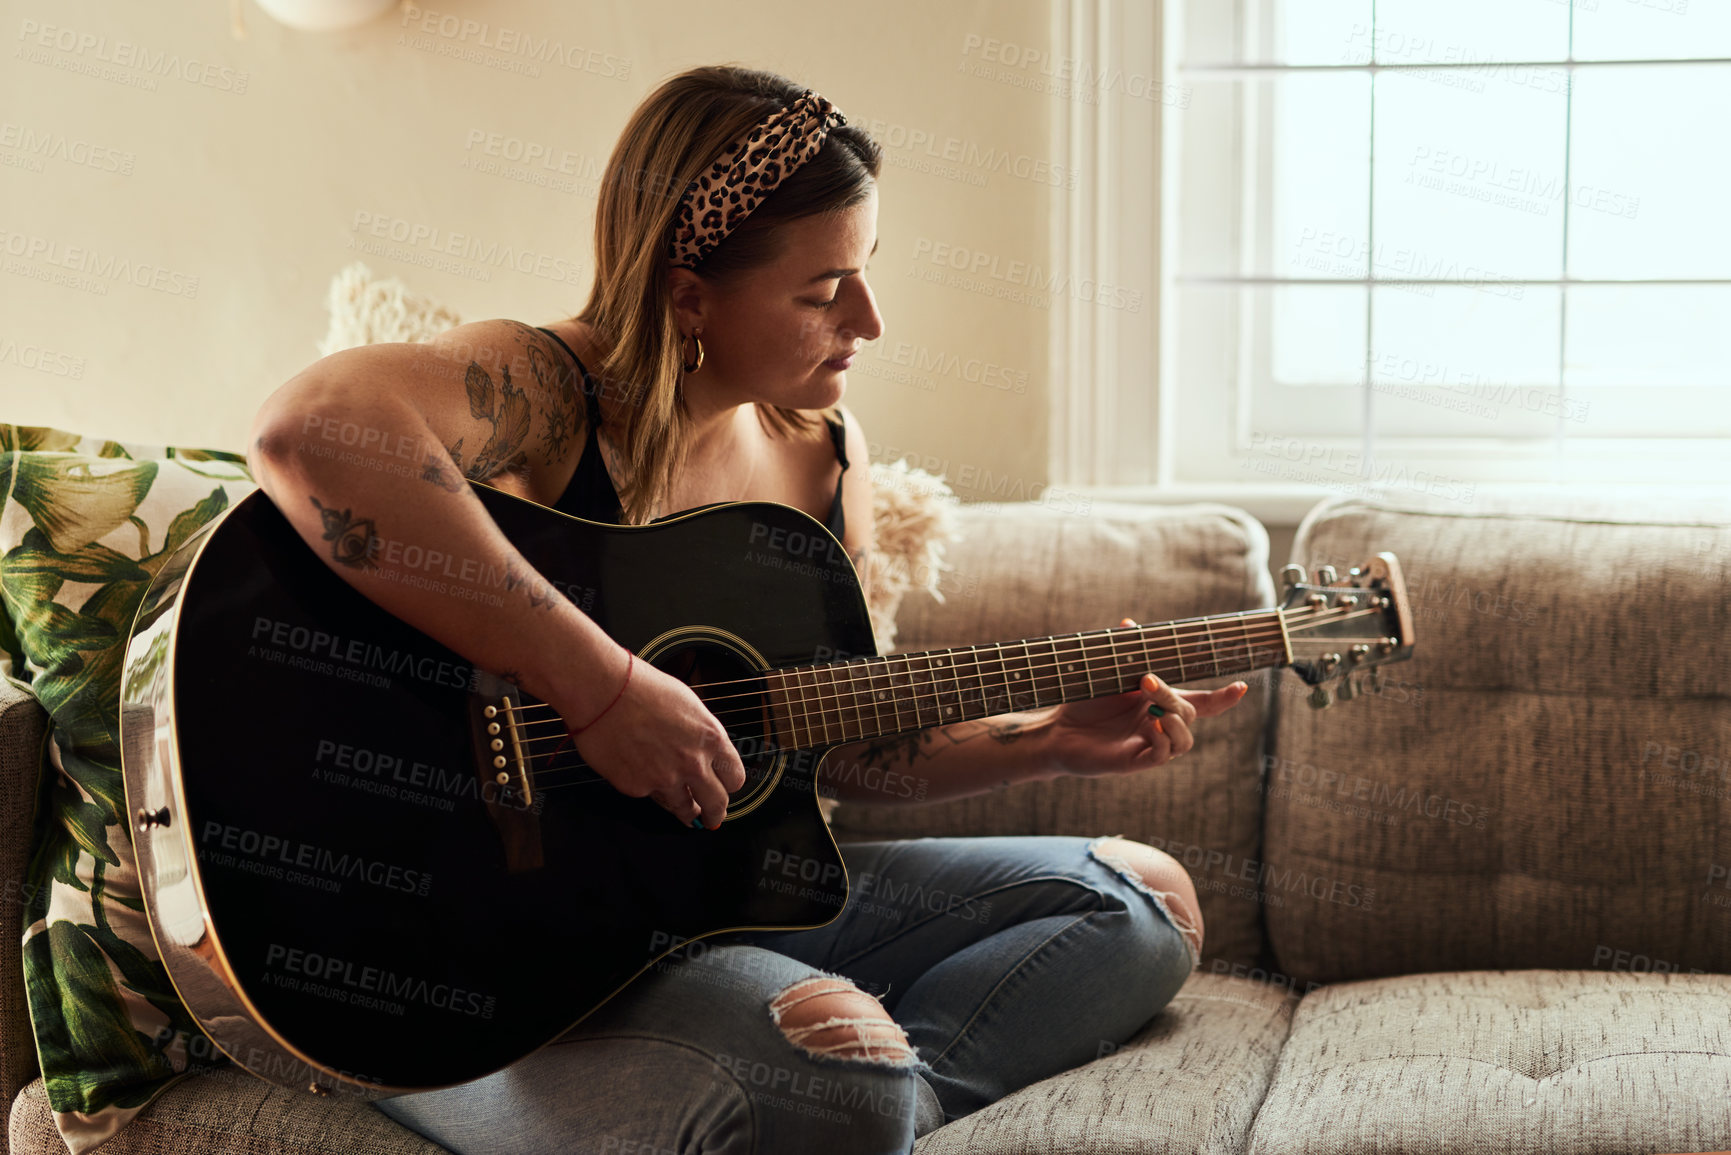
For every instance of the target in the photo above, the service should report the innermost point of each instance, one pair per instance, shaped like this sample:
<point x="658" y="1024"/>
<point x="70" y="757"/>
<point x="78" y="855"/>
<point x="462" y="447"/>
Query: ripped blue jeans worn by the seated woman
<point x="1003" y="960"/>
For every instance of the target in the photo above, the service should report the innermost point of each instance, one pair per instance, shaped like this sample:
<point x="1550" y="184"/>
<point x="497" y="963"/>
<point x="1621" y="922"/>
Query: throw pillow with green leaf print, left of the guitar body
<point x="84" y="529"/>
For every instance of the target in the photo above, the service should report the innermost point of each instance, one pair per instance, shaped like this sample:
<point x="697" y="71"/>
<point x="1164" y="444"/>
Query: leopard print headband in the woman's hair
<point x="747" y="172"/>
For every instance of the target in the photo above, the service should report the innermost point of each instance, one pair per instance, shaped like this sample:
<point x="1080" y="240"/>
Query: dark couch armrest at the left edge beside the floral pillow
<point x="22" y="728"/>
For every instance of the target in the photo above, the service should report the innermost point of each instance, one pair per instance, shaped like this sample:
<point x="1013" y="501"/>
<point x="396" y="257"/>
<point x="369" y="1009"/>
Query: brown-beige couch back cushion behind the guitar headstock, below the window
<point x="1550" y="780"/>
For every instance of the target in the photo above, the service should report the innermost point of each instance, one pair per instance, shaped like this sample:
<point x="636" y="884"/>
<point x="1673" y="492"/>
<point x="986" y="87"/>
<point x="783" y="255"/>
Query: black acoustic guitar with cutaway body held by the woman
<point x="375" y="868"/>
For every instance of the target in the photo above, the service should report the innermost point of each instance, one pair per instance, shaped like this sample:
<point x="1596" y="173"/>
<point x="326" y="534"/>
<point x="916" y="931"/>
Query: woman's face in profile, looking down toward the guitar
<point x="782" y="332"/>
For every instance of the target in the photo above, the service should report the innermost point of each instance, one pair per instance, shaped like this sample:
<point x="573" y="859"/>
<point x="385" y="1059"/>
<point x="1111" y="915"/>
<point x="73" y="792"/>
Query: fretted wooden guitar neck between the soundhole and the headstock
<point x="865" y="699"/>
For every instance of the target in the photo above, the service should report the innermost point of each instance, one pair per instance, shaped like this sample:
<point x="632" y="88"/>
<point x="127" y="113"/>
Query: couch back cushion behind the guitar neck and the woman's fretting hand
<point x="1027" y="571"/>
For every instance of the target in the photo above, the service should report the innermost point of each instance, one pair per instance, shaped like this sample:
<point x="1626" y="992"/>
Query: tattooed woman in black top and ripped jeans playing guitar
<point x="731" y="238"/>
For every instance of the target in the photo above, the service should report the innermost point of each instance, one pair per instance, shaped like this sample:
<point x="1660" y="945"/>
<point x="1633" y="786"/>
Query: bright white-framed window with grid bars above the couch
<point x="1436" y="243"/>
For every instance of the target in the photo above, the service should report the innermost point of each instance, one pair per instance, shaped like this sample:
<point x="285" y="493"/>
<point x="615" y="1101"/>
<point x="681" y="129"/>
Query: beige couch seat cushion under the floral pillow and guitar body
<point x="229" y="1113"/>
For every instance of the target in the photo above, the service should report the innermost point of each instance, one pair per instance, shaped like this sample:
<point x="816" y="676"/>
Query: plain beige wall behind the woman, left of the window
<point x="193" y="193"/>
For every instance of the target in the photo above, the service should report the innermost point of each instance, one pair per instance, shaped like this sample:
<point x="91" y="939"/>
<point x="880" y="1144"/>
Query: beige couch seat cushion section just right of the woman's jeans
<point x="1188" y="1085"/>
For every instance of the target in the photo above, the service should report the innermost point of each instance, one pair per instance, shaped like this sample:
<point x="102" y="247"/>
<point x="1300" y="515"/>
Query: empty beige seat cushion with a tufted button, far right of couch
<point x="1550" y="1062"/>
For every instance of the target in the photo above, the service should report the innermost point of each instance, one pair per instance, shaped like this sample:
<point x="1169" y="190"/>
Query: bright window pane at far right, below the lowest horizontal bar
<point x="1647" y="335"/>
